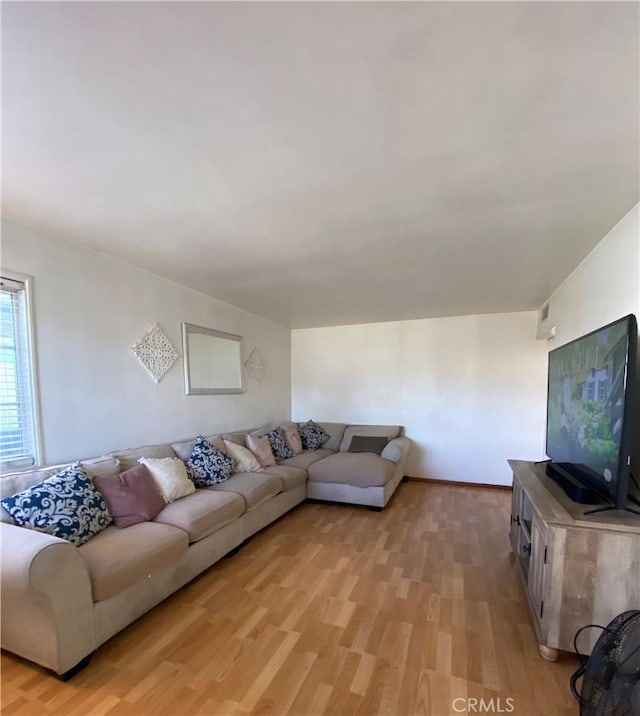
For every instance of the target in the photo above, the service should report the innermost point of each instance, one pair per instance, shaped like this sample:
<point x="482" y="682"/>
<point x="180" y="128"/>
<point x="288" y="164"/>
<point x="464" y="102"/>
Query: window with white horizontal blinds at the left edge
<point x="19" y="440"/>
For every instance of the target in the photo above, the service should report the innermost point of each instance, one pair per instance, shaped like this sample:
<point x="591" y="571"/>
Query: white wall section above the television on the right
<point x="603" y="288"/>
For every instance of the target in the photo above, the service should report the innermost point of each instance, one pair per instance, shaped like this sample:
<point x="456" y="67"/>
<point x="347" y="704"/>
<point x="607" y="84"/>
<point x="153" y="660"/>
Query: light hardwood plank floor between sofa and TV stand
<point x="331" y="610"/>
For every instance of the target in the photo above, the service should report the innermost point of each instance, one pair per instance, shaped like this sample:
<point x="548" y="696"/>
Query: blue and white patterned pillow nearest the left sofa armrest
<point x="66" y="505"/>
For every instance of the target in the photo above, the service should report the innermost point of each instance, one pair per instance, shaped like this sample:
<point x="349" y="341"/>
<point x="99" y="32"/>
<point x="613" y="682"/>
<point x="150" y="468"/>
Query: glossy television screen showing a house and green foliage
<point x="587" y="398"/>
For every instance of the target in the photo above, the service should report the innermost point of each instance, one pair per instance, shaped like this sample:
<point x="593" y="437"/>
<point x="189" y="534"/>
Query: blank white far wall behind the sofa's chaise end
<point x="470" y="390"/>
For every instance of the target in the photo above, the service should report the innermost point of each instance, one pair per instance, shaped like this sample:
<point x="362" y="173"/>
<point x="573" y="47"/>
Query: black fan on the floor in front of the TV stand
<point x="611" y="675"/>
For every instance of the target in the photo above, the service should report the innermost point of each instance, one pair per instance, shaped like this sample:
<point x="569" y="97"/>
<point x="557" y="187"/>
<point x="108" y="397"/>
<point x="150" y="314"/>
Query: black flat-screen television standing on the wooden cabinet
<point x="592" y="413"/>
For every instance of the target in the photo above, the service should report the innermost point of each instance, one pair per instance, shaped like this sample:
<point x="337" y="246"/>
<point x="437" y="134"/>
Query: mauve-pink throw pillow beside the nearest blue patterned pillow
<point x="131" y="496"/>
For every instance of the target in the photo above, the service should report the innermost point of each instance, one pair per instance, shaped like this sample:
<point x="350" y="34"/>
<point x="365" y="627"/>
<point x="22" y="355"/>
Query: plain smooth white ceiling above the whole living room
<point x="331" y="163"/>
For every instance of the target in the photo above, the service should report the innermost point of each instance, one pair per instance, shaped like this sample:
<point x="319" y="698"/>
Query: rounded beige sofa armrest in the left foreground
<point x="47" y="606"/>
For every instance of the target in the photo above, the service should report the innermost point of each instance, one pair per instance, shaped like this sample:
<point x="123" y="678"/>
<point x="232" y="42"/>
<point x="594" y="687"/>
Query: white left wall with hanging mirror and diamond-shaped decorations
<point x="95" y="397"/>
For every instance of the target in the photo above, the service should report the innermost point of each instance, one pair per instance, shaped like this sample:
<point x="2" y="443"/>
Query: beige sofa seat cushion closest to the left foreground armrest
<point x="117" y="559"/>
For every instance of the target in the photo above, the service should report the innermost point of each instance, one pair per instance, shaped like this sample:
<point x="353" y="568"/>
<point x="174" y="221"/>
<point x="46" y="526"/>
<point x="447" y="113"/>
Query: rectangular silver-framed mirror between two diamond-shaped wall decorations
<point x="212" y="361"/>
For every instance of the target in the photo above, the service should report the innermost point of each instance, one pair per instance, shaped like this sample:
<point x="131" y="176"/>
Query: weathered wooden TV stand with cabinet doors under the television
<point x="576" y="570"/>
